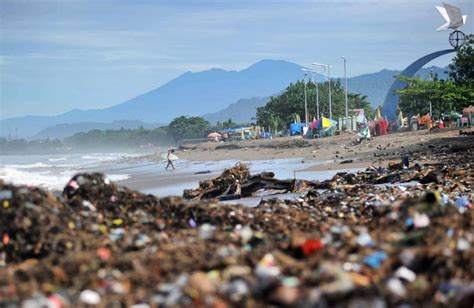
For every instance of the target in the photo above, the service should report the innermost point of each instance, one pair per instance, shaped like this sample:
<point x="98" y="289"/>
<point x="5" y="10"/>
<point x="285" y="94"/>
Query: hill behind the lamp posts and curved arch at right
<point x="376" y="85"/>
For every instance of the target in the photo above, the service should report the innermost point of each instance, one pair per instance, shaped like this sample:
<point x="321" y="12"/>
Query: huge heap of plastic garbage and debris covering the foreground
<point x="344" y="242"/>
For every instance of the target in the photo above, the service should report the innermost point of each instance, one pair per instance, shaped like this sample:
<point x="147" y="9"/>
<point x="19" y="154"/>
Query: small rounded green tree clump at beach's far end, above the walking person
<point x="184" y="127"/>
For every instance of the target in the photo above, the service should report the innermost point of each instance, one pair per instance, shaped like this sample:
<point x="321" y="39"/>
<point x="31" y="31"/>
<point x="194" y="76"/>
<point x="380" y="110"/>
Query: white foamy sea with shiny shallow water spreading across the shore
<point x="53" y="171"/>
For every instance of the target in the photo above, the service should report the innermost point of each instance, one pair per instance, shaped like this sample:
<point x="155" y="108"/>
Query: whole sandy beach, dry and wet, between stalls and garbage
<point x="287" y="157"/>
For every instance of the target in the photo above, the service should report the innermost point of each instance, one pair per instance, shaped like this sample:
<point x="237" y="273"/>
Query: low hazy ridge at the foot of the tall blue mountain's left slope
<point x="61" y="131"/>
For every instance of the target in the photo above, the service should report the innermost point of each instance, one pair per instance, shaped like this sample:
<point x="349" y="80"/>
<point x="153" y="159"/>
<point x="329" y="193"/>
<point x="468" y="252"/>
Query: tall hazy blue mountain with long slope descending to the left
<point x="189" y="94"/>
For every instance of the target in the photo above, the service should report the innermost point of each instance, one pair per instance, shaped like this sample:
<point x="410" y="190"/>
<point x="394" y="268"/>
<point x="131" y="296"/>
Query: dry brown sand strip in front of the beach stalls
<point x="336" y="148"/>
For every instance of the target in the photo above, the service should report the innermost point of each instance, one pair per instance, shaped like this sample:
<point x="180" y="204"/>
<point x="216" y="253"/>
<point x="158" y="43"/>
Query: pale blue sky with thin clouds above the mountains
<point x="58" y="55"/>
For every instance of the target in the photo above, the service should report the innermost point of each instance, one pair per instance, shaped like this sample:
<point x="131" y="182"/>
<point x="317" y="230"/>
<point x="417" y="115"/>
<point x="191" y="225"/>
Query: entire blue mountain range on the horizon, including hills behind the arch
<point x="218" y="94"/>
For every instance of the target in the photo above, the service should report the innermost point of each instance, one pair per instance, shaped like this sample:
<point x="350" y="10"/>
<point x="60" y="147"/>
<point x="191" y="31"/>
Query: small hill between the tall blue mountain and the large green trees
<point x="242" y="111"/>
